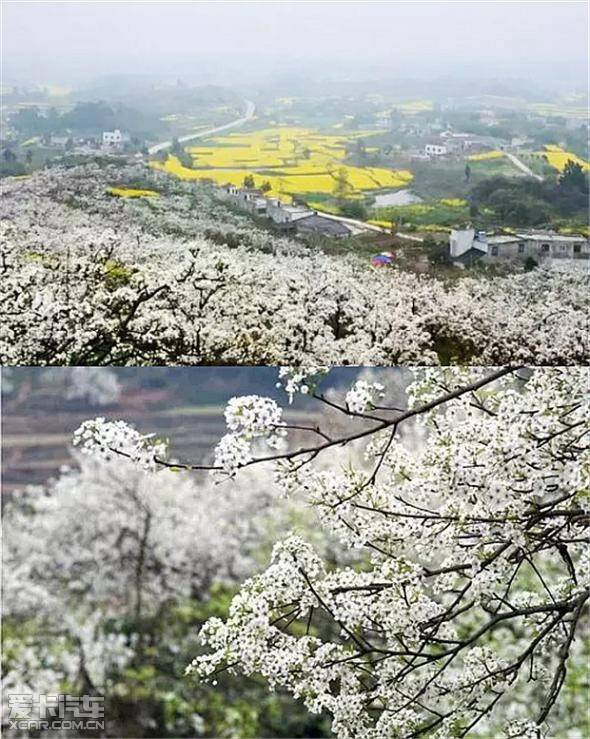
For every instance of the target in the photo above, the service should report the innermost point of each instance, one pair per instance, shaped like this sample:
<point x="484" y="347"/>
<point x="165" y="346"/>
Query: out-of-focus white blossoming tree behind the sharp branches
<point x="104" y="570"/>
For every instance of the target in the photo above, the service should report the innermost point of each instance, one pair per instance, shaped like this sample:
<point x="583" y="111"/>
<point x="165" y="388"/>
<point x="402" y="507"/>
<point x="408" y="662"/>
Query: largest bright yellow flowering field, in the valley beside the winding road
<point x="288" y="161"/>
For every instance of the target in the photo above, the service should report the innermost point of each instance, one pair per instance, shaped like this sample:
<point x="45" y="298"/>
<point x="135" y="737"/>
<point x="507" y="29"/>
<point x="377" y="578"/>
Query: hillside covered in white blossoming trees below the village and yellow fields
<point x="177" y="278"/>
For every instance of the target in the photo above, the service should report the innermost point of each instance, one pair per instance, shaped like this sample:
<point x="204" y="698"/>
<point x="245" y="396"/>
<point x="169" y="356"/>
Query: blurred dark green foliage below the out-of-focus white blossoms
<point x="151" y="696"/>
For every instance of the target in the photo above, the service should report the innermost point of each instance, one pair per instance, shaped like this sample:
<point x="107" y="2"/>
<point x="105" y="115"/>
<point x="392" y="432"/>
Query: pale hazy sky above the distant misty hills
<point x="69" y="41"/>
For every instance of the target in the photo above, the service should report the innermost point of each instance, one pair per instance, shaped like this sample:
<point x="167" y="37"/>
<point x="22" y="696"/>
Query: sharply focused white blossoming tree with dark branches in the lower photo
<point x="464" y="616"/>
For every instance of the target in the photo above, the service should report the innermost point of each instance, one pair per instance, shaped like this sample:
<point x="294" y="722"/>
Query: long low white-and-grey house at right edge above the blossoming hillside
<point x="544" y="247"/>
